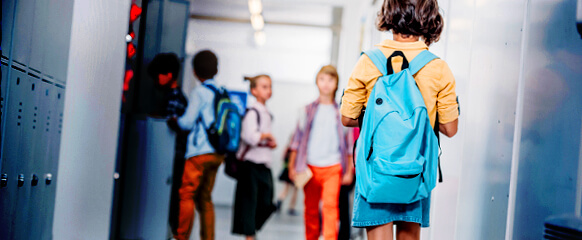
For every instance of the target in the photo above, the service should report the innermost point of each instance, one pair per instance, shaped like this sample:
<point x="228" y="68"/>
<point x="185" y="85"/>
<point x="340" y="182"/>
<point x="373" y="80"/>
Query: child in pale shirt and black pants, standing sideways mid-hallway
<point x="253" y="203"/>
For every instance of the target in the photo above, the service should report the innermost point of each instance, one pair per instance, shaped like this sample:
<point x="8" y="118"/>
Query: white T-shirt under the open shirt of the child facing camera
<point x="323" y="147"/>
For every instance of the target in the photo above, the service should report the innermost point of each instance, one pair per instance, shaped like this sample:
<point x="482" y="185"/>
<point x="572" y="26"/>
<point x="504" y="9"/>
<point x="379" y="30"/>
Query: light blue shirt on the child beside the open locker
<point x="200" y="105"/>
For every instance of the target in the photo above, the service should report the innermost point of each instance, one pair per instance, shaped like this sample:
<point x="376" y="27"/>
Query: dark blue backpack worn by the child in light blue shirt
<point x="224" y="132"/>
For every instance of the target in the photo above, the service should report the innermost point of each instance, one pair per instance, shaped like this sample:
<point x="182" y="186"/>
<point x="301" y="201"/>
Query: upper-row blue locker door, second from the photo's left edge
<point x="23" y="21"/>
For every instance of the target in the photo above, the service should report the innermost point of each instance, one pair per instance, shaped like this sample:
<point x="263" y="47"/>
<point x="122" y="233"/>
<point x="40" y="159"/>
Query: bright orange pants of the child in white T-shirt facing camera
<point x="324" y="185"/>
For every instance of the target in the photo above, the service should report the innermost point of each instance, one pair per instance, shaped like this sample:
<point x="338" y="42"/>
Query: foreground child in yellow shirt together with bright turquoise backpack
<point x="400" y="92"/>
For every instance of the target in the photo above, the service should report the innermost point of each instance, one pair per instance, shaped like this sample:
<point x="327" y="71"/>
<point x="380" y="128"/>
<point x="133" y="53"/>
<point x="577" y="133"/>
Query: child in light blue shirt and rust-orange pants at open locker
<point x="202" y="160"/>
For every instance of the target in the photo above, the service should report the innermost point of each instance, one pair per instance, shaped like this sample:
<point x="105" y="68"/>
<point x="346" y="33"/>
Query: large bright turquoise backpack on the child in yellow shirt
<point x="397" y="152"/>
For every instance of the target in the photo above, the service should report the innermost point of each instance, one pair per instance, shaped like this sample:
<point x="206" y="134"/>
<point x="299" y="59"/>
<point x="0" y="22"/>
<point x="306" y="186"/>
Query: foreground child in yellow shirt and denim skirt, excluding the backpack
<point x="409" y="21"/>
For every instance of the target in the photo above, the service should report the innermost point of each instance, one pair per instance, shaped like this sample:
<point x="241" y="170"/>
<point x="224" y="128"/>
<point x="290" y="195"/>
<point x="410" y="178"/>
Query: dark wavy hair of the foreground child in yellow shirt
<point x="412" y="17"/>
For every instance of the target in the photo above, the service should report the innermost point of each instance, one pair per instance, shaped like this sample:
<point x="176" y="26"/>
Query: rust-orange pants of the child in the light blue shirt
<point x="195" y="192"/>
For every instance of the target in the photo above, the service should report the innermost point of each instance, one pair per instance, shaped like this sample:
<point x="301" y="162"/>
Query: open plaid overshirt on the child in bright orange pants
<point x="301" y="138"/>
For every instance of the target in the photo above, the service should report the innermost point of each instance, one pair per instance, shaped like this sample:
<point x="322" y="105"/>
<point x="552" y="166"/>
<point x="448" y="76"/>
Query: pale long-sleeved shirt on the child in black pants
<point x="251" y="135"/>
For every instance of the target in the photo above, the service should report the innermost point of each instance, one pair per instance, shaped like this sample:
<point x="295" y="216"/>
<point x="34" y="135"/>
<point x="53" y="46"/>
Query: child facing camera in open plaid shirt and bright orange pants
<point x="320" y="145"/>
